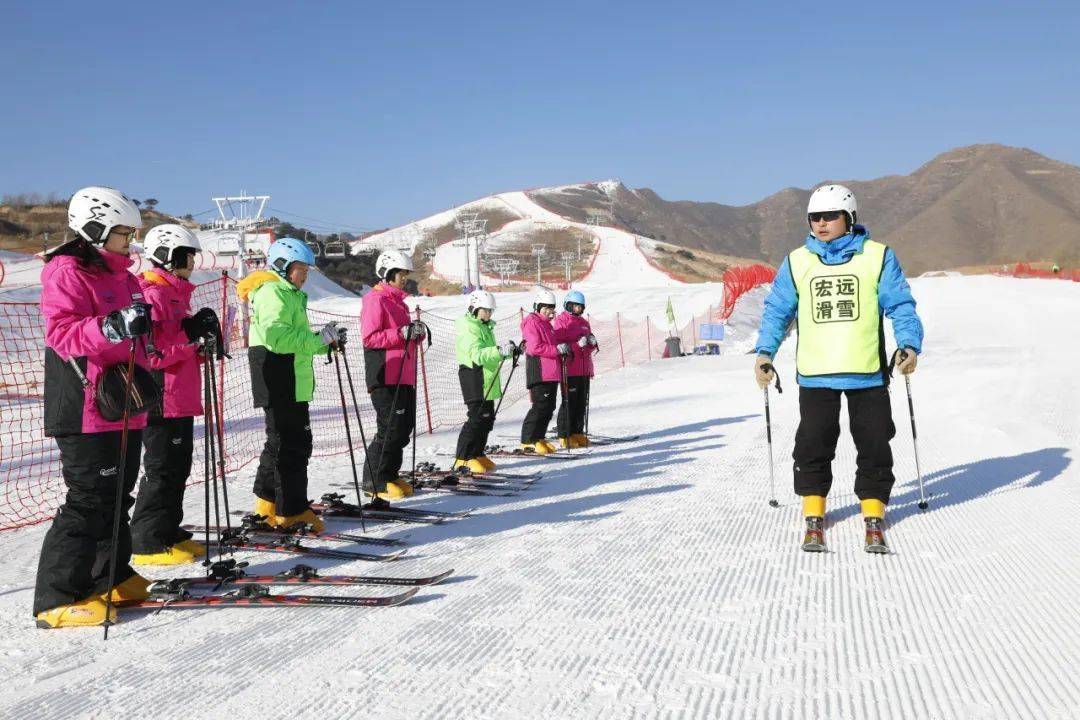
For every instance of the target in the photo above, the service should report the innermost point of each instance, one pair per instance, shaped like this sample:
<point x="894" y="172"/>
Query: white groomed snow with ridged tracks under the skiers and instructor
<point x="654" y="580"/>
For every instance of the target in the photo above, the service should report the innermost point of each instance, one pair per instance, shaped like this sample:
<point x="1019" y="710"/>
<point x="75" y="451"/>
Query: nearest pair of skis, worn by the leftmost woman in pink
<point x="255" y="590"/>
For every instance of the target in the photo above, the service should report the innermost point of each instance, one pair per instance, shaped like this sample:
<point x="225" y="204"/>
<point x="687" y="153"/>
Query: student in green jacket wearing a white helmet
<point x="480" y="361"/>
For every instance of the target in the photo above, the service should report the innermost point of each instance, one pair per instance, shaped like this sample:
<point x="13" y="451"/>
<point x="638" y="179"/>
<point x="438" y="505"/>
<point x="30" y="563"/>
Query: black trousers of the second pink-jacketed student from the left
<point x="167" y="466"/>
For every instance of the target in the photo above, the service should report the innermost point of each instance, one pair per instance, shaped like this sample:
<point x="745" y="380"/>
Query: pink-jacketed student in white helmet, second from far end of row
<point x="546" y="350"/>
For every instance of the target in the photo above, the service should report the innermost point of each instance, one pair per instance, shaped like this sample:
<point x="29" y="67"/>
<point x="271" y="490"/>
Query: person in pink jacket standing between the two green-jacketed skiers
<point x="390" y="346"/>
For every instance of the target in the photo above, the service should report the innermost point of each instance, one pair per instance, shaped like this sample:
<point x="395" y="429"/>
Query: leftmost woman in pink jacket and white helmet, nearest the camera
<point x="93" y="311"/>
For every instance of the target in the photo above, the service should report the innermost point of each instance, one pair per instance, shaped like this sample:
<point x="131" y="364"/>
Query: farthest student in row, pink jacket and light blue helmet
<point x="579" y="370"/>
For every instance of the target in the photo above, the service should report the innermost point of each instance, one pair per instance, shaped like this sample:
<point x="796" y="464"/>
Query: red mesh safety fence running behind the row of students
<point x="31" y="483"/>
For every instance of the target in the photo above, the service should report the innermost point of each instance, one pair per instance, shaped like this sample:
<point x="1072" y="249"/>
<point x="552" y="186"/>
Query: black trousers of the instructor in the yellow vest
<point x="872" y="428"/>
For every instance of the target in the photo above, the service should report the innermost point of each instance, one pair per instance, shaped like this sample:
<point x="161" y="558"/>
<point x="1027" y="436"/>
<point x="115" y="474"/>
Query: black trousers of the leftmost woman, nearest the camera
<point x="78" y="548"/>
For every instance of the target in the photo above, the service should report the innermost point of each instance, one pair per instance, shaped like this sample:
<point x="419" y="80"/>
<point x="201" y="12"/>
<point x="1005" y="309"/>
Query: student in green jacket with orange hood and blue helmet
<point x="281" y="346"/>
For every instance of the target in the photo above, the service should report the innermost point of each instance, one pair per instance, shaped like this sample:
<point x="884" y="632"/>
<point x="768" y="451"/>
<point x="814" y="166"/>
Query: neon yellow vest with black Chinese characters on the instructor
<point x="840" y="319"/>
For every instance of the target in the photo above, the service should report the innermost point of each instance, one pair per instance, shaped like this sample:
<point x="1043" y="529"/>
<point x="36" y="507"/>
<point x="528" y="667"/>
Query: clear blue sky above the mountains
<point x="364" y="116"/>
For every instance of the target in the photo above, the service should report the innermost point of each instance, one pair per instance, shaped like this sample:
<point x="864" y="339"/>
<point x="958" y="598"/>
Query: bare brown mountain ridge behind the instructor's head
<point x="983" y="205"/>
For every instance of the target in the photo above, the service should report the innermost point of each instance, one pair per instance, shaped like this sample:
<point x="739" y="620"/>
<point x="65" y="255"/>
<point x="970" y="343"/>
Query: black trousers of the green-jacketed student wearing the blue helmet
<point x="282" y="477"/>
